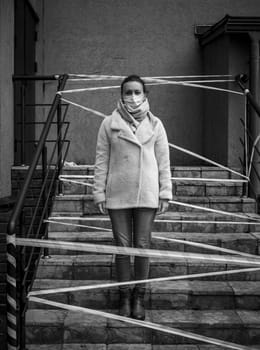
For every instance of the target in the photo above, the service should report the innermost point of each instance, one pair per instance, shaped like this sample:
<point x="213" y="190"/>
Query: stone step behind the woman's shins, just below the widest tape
<point x="96" y="267"/>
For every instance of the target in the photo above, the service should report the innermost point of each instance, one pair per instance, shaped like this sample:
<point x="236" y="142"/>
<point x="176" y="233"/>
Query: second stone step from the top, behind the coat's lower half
<point x="180" y="188"/>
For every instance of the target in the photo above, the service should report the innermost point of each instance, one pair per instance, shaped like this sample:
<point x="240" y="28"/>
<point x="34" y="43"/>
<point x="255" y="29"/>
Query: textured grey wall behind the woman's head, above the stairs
<point x="147" y="37"/>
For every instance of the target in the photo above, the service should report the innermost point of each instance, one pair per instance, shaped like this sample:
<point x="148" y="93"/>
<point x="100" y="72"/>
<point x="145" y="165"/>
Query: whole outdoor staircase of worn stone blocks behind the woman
<point x="225" y="307"/>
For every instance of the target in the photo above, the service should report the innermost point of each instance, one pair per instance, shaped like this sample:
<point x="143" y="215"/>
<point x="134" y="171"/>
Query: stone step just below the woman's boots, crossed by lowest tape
<point x="60" y="326"/>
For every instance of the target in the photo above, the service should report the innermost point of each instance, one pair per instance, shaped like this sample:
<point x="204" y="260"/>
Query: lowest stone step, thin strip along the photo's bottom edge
<point x="123" y="346"/>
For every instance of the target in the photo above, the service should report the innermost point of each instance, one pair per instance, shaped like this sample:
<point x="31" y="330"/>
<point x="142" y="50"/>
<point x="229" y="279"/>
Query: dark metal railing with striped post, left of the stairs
<point x="29" y="220"/>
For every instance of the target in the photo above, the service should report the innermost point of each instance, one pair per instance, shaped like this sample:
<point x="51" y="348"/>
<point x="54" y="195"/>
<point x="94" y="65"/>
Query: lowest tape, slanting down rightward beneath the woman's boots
<point x="149" y="325"/>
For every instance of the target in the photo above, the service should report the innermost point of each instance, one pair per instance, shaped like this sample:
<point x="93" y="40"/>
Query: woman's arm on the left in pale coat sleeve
<point x="101" y="166"/>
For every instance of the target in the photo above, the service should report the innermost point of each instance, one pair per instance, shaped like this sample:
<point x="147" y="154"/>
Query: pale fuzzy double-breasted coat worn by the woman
<point x="132" y="170"/>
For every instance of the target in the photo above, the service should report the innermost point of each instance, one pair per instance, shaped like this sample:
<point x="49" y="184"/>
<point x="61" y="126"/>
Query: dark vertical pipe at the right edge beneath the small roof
<point x="254" y="124"/>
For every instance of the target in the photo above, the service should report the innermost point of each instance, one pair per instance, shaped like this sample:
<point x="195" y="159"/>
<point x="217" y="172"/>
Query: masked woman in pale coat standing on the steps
<point x="133" y="182"/>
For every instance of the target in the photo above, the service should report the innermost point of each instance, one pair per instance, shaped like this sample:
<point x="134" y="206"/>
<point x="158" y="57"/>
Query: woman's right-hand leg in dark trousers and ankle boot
<point x="142" y="226"/>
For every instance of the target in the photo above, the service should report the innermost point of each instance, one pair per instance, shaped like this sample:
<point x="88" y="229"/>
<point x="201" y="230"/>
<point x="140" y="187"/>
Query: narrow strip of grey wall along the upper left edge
<point x="6" y="94"/>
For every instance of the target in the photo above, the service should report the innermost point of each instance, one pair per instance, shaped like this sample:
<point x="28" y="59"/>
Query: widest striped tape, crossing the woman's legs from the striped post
<point x="111" y="249"/>
